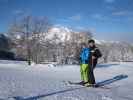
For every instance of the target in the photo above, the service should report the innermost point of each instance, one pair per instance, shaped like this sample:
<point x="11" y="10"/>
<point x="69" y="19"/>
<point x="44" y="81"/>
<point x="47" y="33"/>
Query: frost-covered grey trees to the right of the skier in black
<point x="116" y="52"/>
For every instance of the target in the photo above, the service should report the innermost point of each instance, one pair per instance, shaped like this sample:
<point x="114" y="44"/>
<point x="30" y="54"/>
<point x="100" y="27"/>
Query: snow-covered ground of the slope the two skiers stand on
<point x="18" y="81"/>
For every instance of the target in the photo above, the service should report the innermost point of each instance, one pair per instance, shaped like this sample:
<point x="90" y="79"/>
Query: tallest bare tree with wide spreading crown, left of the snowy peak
<point x="32" y="31"/>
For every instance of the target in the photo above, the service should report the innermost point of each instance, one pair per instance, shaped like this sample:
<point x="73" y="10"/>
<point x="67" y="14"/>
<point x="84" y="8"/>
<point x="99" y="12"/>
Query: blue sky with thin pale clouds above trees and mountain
<point x="107" y="19"/>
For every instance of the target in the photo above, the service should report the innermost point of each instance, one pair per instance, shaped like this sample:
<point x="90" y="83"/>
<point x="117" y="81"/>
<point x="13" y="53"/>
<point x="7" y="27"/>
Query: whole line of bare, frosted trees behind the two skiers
<point x="29" y="38"/>
